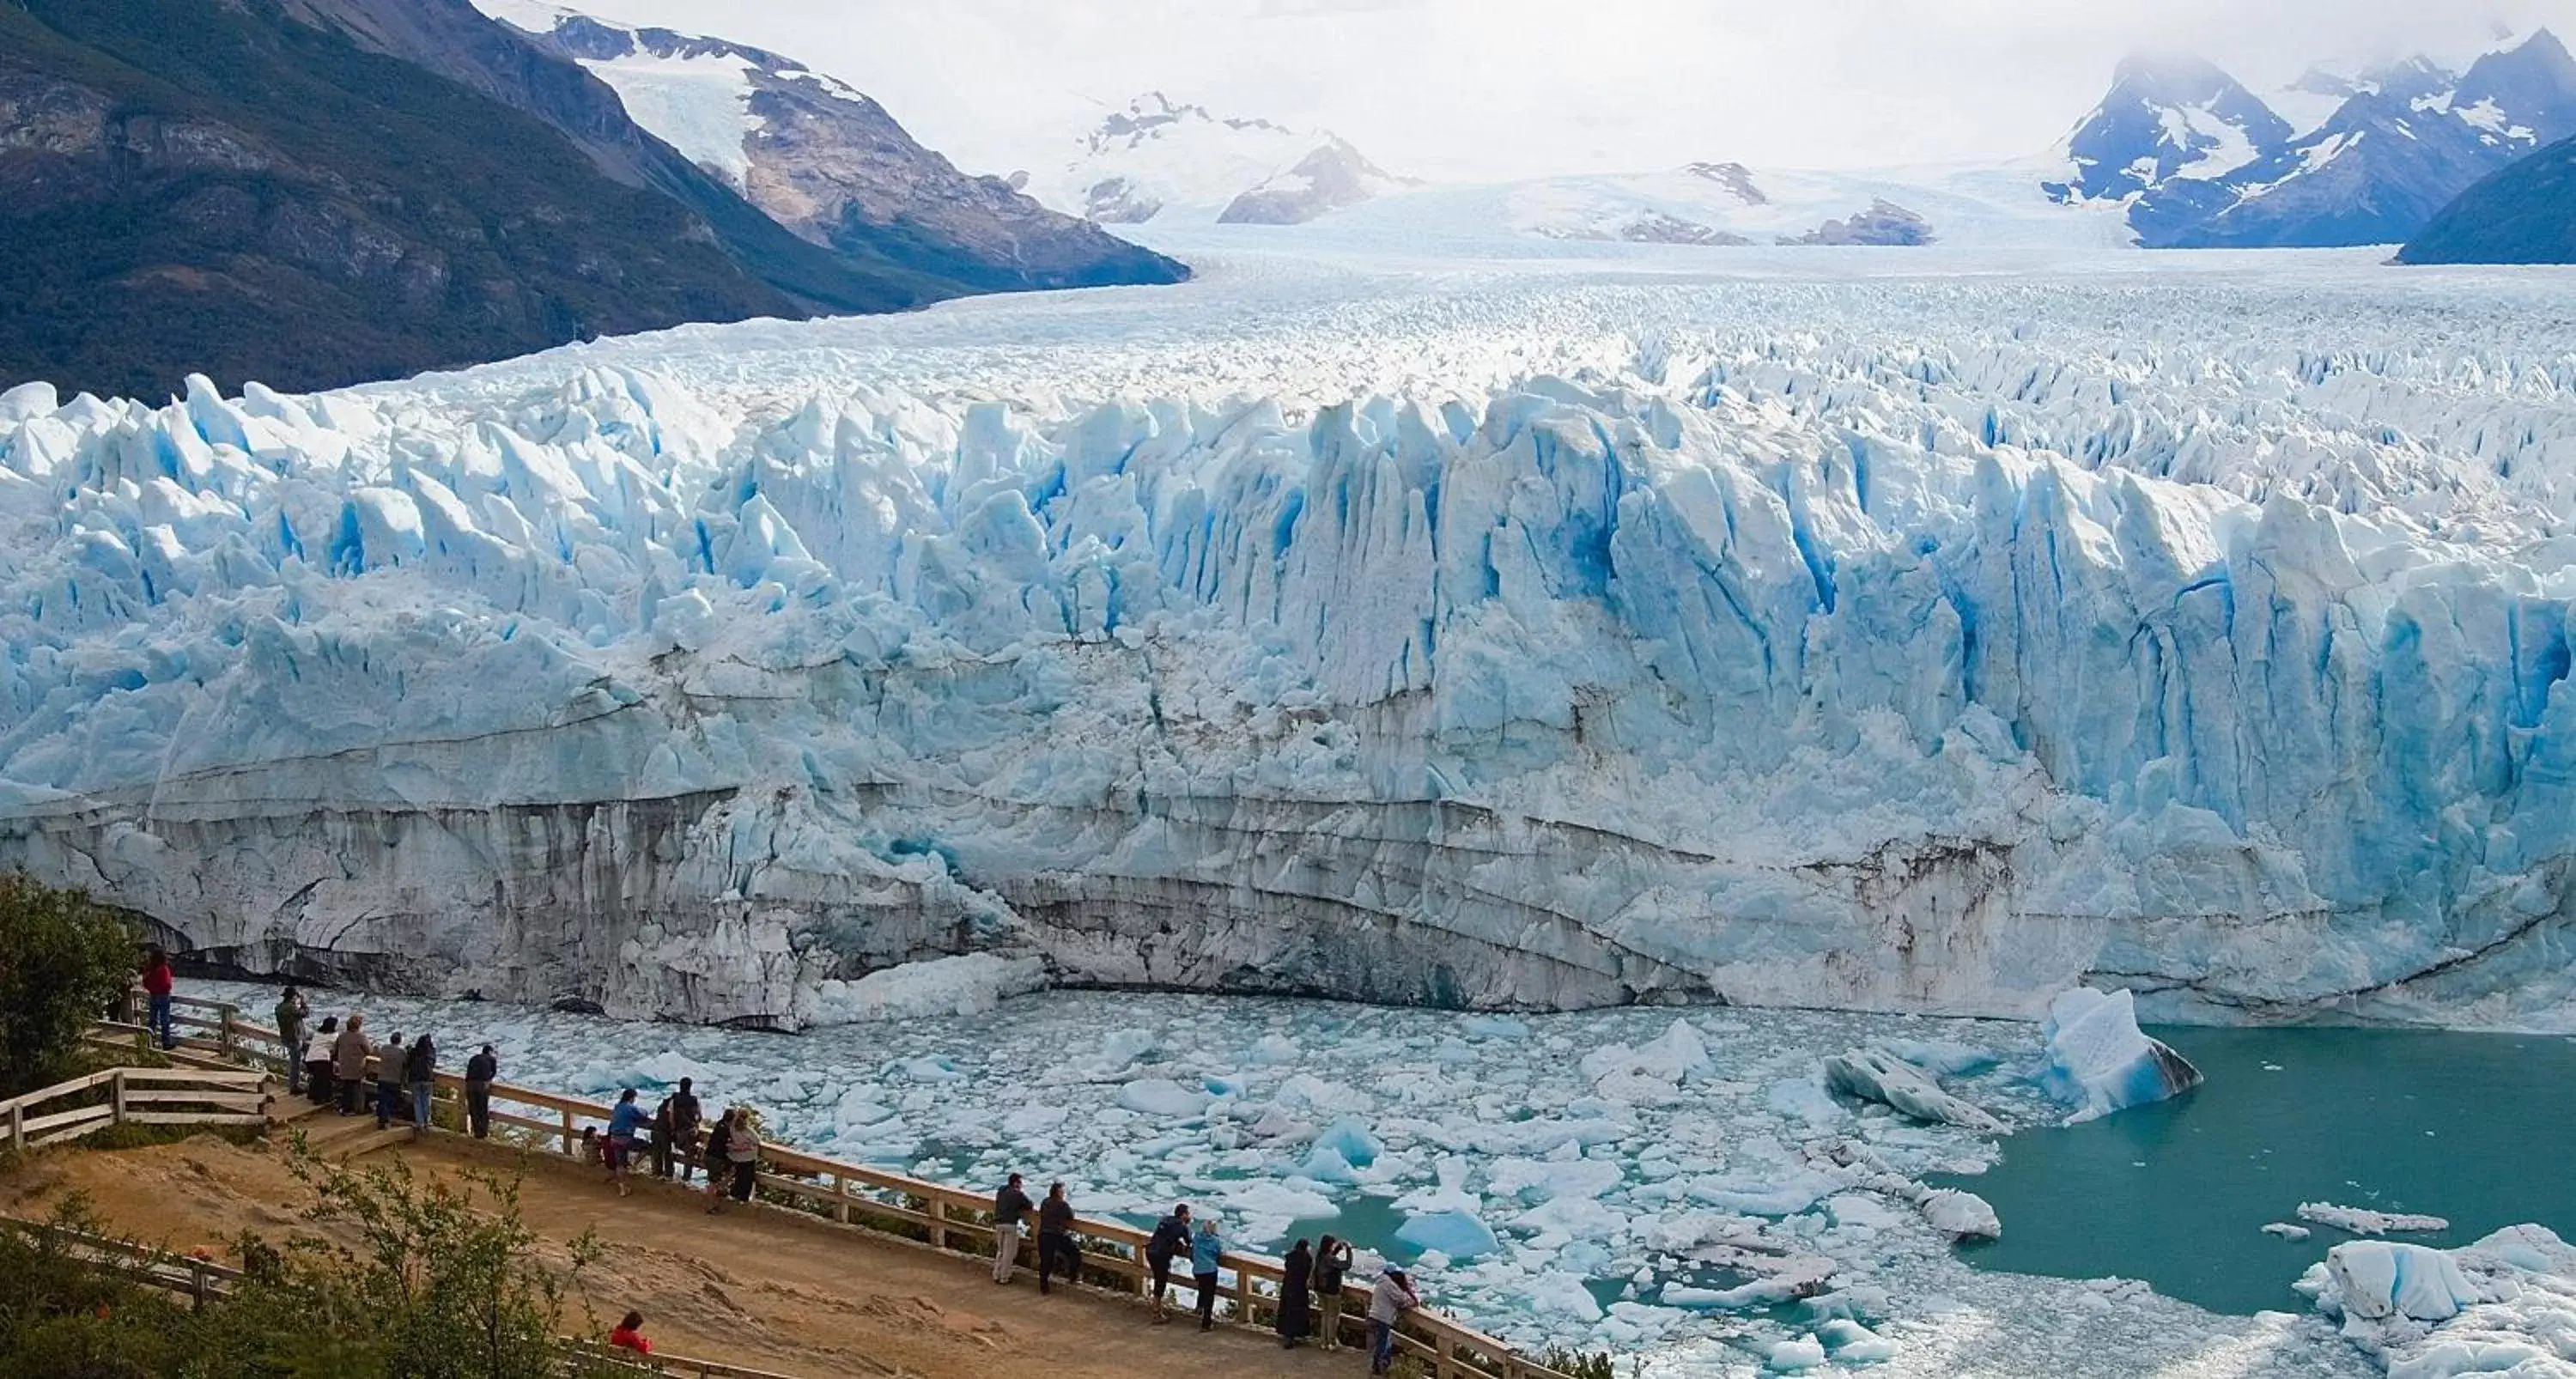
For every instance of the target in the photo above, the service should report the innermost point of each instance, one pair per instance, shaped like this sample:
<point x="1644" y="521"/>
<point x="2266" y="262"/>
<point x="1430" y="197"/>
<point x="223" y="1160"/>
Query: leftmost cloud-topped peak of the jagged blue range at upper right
<point x="2168" y="117"/>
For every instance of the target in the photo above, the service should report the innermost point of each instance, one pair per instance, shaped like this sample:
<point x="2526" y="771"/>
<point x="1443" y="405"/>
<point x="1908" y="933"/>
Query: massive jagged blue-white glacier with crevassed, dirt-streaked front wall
<point x="1884" y="643"/>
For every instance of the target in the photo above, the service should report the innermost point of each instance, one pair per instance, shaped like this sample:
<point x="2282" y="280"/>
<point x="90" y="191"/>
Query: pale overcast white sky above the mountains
<point x="1506" y="89"/>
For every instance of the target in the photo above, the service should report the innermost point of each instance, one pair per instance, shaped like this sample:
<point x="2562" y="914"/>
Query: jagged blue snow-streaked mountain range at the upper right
<point x="2211" y="166"/>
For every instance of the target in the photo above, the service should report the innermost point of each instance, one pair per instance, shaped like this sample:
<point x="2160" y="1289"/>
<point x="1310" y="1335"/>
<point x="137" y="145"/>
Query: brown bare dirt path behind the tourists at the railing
<point x="753" y="1287"/>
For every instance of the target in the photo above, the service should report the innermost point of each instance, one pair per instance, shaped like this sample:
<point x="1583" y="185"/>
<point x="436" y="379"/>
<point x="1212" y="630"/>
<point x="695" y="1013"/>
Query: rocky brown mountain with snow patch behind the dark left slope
<point x="831" y="164"/>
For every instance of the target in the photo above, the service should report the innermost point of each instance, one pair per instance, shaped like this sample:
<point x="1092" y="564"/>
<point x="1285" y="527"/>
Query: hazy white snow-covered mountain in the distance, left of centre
<point x="1171" y="161"/>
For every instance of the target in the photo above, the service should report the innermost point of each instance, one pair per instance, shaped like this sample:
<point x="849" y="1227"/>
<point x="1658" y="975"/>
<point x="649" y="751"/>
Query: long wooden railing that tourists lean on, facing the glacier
<point x="908" y="1208"/>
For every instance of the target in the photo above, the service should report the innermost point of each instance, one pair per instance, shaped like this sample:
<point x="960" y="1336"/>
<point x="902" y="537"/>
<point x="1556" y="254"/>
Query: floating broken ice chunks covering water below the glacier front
<point x="1676" y="1187"/>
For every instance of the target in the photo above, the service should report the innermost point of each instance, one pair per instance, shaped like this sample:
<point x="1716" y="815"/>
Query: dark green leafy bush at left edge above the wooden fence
<point x="63" y="960"/>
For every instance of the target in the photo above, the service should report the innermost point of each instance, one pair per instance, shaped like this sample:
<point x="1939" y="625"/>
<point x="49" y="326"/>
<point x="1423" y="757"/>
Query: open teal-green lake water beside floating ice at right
<point x="2474" y="1128"/>
